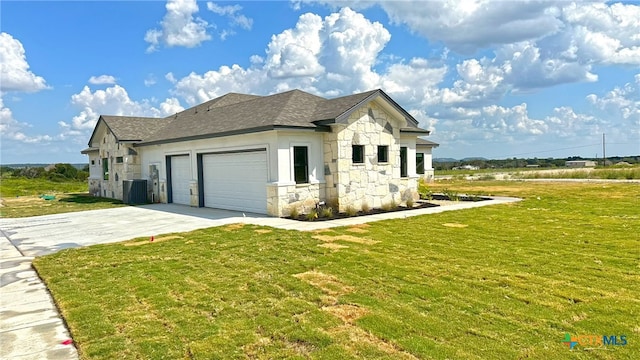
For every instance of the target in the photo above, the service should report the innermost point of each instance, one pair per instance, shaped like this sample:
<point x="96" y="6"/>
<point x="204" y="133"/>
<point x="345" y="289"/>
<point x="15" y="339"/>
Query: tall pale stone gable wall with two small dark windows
<point x="372" y="183"/>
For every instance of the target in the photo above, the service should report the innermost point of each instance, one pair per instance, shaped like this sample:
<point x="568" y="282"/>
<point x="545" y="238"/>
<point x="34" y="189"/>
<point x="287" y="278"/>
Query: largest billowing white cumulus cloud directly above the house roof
<point x="329" y="56"/>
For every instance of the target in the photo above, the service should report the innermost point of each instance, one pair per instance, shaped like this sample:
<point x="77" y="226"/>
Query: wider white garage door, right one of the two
<point x="236" y="181"/>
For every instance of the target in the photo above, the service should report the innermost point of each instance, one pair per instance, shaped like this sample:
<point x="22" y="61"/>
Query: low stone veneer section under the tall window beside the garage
<point x="281" y="199"/>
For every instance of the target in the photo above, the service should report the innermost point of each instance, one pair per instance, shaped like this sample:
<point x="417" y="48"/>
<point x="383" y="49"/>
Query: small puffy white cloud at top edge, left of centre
<point x="179" y="27"/>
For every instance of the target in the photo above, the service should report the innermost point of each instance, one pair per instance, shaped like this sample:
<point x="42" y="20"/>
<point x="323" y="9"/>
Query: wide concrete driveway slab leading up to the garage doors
<point x="42" y="235"/>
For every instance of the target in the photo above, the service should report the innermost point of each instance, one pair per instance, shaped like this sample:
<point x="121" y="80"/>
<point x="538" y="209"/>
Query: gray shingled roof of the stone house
<point x="241" y="113"/>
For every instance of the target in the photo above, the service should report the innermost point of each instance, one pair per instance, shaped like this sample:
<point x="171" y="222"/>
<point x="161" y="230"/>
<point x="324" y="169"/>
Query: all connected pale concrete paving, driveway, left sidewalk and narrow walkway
<point x="30" y="325"/>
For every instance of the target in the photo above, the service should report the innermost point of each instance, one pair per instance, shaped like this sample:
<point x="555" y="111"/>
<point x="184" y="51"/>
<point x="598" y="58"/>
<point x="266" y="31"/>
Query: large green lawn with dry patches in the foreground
<point x="498" y="282"/>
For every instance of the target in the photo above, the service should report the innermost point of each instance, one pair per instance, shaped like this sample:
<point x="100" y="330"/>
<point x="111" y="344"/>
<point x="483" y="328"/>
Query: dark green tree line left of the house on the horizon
<point x="55" y="172"/>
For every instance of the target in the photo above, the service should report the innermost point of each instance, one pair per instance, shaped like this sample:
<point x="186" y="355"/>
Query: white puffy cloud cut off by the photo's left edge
<point x="14" y="72"/>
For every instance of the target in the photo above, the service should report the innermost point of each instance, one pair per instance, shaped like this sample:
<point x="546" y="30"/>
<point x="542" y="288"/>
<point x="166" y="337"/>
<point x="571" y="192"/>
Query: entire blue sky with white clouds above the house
<point x="493" y="79"/>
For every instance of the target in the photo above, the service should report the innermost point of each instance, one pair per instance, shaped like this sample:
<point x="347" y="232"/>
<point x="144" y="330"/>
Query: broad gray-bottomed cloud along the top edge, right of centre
<point x="465" y="26"/>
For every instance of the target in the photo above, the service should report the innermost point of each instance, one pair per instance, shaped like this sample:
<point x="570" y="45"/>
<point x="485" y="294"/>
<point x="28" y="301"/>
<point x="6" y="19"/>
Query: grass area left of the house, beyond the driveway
<point x="21" y="197"/>
